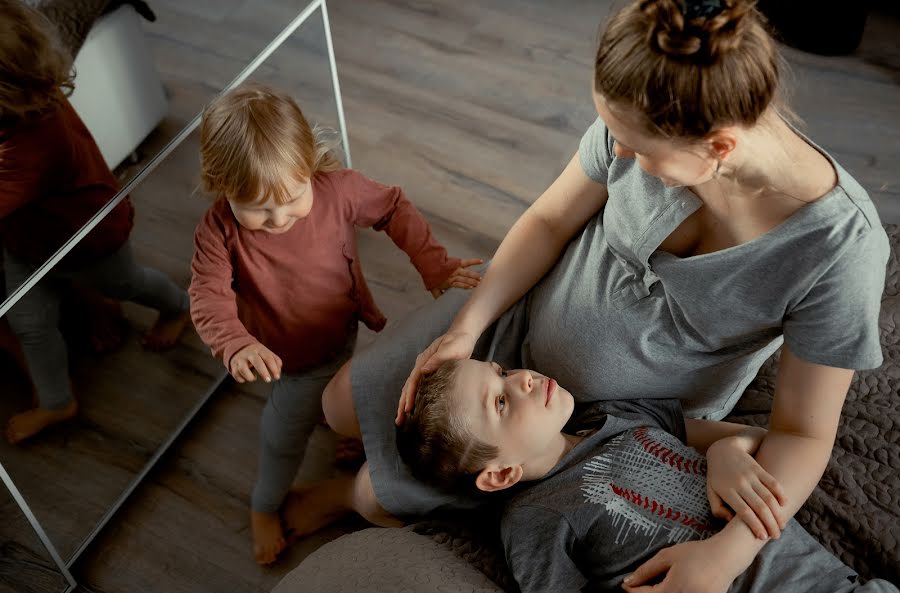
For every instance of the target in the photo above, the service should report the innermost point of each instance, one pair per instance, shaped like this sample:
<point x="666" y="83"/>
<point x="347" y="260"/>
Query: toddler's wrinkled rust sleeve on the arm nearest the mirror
<point x="213" y="300"/>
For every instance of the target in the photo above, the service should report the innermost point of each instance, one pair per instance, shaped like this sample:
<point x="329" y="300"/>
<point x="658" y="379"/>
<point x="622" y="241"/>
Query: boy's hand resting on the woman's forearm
<point x="735" y="479"/>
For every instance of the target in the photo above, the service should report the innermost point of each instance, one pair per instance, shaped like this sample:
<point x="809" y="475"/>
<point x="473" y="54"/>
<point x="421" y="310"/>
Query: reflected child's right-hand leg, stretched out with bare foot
<point x="120" y="277"/>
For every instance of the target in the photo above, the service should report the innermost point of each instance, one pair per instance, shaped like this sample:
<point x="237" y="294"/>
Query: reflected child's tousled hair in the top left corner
<point x="35" y="71"/>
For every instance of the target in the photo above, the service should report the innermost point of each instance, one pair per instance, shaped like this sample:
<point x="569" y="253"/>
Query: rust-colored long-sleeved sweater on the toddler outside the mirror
<point x="301" y="293"/>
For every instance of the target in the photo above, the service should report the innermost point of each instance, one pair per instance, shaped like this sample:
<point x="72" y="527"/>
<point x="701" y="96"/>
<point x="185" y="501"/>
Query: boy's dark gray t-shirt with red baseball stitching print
<point x="628" y="490"/>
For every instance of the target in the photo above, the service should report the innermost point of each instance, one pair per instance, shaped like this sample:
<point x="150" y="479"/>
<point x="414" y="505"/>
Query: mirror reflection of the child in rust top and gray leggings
<point x="53" y="179"/>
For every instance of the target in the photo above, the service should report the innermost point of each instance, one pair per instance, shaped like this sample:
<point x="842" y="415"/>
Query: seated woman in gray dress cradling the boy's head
<point x="694" y="232"/>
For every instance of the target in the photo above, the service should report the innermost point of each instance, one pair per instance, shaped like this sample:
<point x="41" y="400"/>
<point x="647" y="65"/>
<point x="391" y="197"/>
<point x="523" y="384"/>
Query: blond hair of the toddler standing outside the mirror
<point x="252" y="140"/>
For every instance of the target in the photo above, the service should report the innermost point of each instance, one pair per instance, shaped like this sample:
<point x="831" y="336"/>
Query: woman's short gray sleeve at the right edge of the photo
<point x="836" y="322"/>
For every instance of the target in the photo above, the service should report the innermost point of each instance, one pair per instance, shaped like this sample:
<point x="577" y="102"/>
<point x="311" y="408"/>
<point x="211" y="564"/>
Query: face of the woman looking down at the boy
<point x="675" y="164"/>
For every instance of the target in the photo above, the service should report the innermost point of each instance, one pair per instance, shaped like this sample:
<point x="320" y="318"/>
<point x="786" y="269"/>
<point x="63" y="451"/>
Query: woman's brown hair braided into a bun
<point x="688" y="67"/>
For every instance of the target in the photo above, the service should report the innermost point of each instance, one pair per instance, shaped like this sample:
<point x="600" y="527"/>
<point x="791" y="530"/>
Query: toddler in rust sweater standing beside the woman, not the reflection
<point x="278" y="290"/>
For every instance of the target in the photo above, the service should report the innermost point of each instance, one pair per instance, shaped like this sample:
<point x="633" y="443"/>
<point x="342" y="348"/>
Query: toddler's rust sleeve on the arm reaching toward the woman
<point x="386" y="208"/>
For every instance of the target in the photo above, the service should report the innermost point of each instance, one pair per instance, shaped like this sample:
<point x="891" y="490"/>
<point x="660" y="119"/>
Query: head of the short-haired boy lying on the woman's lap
<point x="474" y="423"/>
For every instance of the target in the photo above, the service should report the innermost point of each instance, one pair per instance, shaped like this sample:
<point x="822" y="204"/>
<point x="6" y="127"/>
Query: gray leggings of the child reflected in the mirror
<point x="35" y="318"/>
